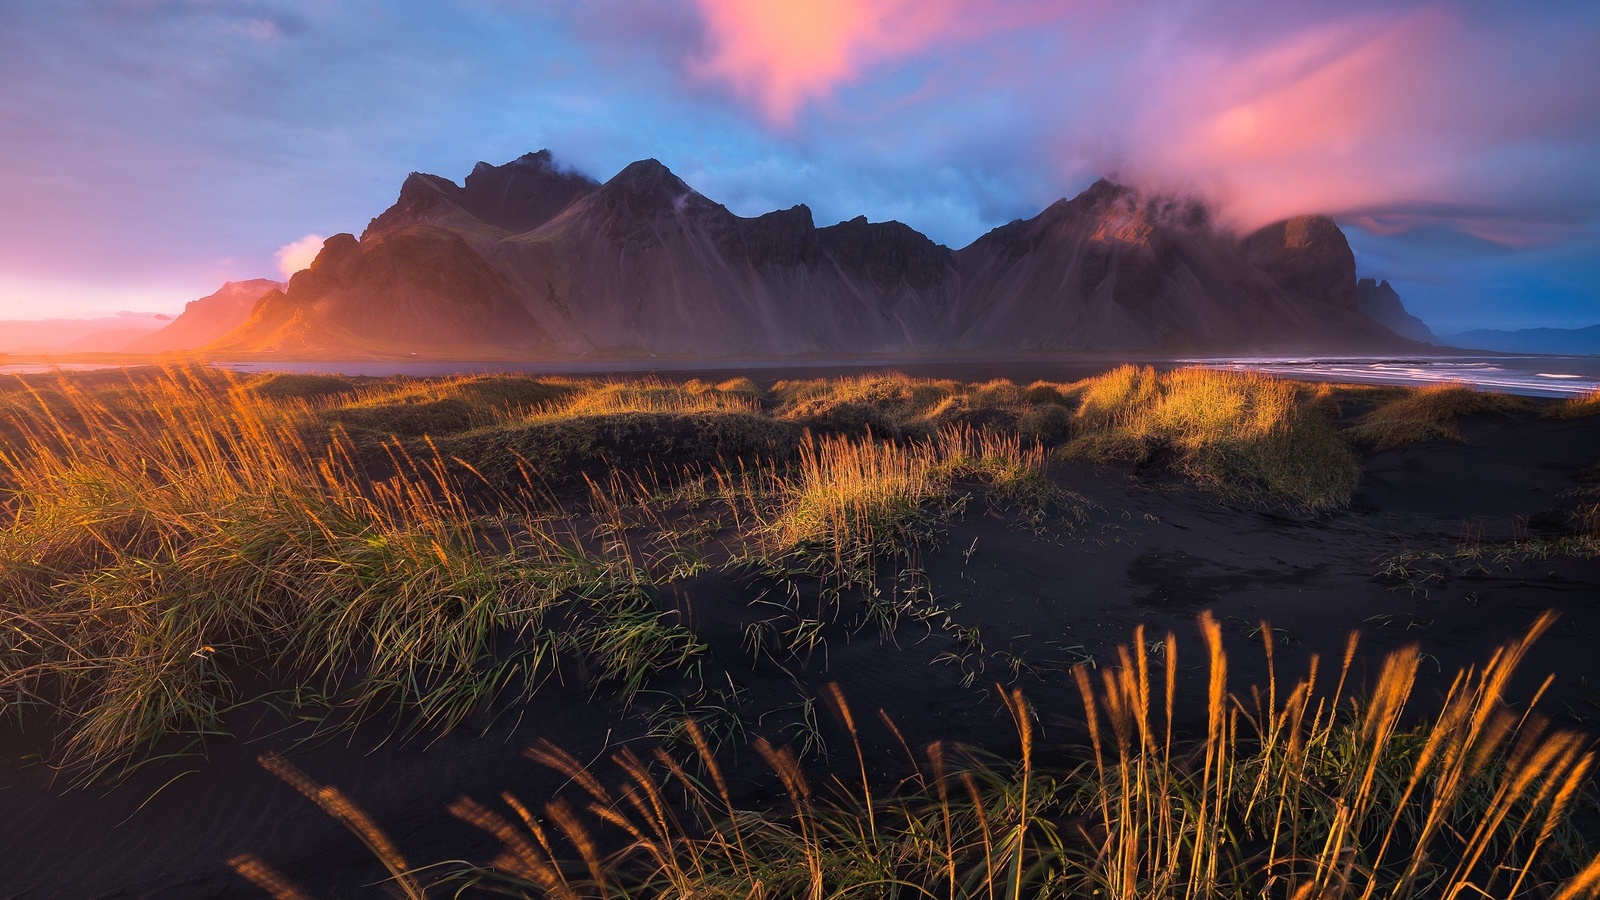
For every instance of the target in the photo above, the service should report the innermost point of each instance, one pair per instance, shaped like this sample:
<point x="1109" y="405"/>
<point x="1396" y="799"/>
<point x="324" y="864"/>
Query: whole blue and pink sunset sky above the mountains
<point x="151" y="150"/>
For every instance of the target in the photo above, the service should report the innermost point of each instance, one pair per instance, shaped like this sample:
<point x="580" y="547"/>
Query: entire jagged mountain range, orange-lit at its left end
<point x="532" y="259"/>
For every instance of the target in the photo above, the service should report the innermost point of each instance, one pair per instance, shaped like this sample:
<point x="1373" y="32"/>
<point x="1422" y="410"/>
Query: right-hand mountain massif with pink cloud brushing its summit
<point x="1116" y="270"/>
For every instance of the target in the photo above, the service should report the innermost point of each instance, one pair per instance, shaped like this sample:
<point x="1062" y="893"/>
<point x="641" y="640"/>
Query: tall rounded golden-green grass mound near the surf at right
<point x="1244" y="436"/>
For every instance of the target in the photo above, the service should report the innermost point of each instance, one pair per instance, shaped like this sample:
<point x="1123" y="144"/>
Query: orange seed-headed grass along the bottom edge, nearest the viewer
<point x="1306" y="790"/>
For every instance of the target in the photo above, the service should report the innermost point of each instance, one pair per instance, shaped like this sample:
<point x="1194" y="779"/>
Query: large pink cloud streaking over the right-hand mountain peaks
<point x="1337" y="118"/>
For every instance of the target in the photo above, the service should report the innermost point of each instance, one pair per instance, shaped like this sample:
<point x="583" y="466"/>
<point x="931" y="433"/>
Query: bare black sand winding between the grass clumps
<point x="1153" y="553"/>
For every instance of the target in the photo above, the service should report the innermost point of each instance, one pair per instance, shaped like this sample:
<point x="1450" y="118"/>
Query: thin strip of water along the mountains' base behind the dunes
<point x="1529" y="376"/>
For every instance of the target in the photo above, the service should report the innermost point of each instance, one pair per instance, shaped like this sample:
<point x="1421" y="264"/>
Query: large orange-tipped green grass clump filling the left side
<point x="159" y="547"/>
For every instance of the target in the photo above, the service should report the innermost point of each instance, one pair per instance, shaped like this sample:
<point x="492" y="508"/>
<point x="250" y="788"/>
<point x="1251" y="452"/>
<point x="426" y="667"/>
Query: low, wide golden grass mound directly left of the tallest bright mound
<point x="897" y="406"/>
